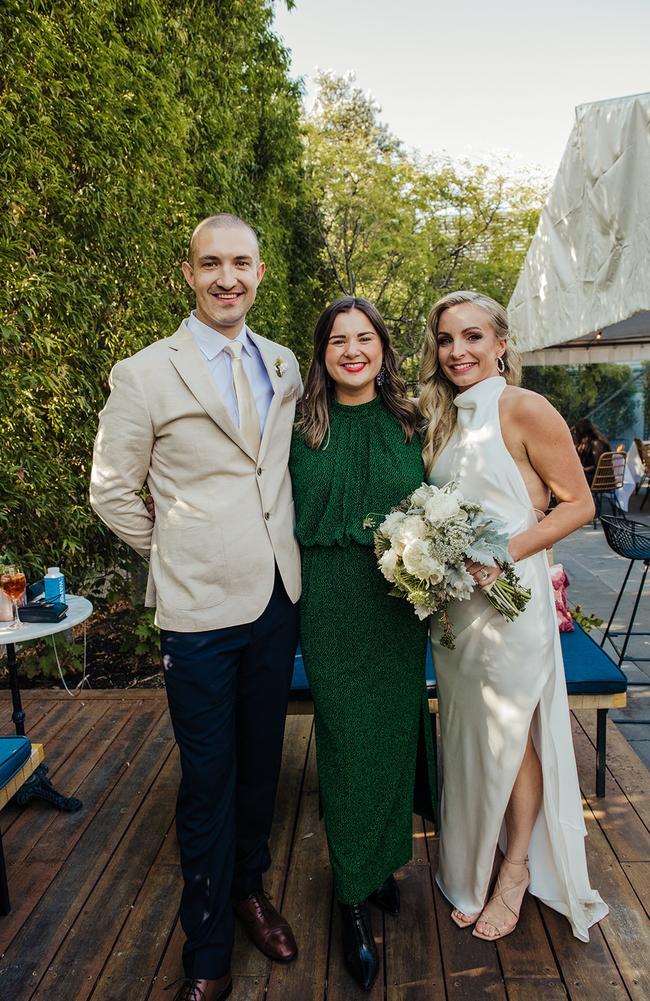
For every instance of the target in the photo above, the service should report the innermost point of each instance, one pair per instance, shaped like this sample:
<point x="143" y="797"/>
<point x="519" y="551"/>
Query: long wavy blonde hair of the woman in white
<point x="437" y="393"/>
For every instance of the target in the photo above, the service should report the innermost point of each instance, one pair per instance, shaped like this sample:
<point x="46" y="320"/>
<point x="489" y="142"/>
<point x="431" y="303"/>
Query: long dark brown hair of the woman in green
<point x="314" y="415"/>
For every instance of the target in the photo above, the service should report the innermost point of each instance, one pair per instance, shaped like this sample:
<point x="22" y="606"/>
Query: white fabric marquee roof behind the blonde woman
<point x="584" y="292"/>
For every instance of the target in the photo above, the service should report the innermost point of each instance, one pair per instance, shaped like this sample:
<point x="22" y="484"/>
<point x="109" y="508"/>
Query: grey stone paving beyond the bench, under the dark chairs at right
<point x="596" y="574"/>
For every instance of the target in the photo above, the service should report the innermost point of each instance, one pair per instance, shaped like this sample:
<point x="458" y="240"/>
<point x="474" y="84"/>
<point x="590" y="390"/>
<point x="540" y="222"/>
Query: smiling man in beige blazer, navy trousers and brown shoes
<point x="205" y="419"/>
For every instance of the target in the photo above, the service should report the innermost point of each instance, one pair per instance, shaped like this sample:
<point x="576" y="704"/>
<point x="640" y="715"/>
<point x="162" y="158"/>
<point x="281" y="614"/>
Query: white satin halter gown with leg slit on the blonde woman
<point x="502" y="680"/>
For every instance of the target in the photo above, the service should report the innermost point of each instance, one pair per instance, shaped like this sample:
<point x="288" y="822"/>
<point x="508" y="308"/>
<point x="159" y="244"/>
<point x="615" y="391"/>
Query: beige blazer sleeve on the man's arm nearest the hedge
<point x="122" y="460"/>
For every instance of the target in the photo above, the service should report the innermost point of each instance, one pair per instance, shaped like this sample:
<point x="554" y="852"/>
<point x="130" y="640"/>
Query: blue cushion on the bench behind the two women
<point x="587" y="668"/>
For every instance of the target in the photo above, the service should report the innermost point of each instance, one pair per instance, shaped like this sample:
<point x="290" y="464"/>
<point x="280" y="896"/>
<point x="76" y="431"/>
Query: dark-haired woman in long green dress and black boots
<point x="356" y="452"/>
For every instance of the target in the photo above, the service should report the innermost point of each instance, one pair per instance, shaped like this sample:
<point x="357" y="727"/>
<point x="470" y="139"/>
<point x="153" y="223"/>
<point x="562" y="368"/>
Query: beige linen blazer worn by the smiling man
<point x="224" y="517"/>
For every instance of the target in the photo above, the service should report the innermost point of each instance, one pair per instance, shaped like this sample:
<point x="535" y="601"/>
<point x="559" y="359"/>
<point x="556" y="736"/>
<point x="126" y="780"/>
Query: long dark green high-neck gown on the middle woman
<point x="364" y="651"/>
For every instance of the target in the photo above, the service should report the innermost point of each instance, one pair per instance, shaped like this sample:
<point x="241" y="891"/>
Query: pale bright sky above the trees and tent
<point x="476" y="80"/>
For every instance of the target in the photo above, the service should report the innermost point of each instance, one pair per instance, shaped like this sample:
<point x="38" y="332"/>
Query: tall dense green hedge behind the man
<point x="125" y="124"/>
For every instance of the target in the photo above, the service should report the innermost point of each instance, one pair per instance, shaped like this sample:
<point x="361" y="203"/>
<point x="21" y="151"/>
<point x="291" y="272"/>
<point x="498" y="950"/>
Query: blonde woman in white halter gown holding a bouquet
<point x="510" y="773"/>
